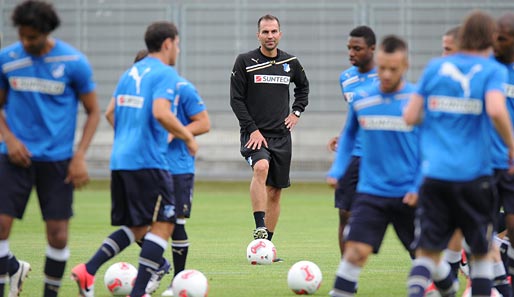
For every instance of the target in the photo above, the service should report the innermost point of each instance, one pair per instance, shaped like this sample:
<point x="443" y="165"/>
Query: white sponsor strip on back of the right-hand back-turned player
<point x="455" y="105"/>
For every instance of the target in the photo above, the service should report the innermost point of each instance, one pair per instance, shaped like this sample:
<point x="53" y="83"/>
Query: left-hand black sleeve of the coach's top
<point x="238" y="89"/>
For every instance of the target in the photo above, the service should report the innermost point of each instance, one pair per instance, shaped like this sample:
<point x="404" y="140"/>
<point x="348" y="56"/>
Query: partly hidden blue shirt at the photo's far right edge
<point x="500" y="150"/>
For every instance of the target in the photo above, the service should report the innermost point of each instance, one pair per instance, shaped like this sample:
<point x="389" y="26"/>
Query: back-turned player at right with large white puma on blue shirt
<point x="459" y="97"/>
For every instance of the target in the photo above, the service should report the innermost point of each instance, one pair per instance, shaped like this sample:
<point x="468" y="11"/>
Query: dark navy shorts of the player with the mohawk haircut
<point x="371" y="216"/>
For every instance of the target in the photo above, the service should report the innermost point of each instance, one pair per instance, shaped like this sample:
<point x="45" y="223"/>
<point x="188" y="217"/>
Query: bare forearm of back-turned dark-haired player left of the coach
<point x="161" y="110"/>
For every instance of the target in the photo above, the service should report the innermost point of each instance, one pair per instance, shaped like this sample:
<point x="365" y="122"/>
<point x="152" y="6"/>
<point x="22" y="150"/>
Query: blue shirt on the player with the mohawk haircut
<point x="390" y="162"/>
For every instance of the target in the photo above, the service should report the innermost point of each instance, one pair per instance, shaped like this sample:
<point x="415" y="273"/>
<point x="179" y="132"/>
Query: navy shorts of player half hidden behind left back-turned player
<point x="183" y="189"/>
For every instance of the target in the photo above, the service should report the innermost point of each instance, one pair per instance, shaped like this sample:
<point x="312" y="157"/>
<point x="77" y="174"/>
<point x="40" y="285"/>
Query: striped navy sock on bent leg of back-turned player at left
<point x="112" y="245"/>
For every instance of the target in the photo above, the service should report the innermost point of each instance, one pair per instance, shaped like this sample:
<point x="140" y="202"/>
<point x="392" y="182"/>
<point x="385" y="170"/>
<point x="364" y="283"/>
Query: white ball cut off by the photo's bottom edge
<point x="190" y="283"/>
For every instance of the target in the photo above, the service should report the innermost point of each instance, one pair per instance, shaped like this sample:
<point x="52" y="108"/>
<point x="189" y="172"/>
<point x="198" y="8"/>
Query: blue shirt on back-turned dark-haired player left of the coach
<point x="140" y="141"/>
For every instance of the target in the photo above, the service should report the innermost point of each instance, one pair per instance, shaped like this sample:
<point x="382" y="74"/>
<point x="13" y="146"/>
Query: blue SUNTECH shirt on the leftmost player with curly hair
<point x="42" y="97"/>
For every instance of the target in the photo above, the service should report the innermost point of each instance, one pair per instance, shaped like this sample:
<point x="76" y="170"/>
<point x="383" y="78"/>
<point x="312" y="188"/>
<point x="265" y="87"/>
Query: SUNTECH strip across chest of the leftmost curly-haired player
<point x="32" y="84"/>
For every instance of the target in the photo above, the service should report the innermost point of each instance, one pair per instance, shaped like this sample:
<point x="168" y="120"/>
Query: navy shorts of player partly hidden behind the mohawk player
<point x="347" y="185"/>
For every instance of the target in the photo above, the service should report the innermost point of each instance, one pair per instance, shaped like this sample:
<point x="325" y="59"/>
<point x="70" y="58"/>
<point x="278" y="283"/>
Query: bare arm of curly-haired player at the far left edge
<point x="16" y="150"/>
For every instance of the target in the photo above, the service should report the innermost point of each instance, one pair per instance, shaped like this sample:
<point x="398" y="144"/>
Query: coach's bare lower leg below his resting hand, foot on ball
<point x="258" y="186"/>
